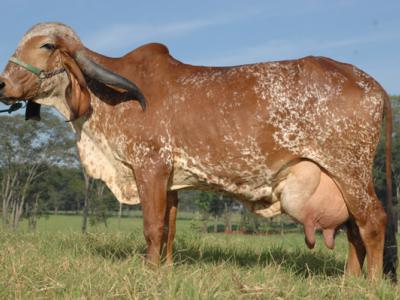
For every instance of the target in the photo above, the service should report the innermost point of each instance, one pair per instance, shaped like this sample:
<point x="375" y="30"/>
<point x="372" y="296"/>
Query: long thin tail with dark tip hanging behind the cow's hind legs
<point x="390" y="251"/>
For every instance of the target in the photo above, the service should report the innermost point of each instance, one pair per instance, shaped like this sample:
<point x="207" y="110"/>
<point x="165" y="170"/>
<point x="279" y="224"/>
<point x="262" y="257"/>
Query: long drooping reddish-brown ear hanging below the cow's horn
<point x="77" y="94"/>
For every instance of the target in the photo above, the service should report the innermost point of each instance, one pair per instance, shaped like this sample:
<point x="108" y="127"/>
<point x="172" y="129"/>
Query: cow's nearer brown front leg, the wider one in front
<point x="152" y="185"/>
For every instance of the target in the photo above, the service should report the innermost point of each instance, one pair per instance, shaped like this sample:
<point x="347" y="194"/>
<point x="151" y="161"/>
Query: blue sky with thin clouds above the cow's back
<point x="221" y="32"/>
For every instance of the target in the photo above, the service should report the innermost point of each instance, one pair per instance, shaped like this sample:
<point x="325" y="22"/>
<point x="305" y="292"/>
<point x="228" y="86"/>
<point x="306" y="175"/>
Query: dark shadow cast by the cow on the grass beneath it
<point x="301" y="262"/>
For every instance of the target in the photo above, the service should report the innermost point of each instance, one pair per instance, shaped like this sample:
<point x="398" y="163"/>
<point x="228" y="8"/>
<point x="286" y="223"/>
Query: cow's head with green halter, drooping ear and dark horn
<point x="51" y="66"/>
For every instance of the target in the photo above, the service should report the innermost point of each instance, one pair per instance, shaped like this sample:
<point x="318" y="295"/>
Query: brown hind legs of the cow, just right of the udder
<point x="370" y="217"/>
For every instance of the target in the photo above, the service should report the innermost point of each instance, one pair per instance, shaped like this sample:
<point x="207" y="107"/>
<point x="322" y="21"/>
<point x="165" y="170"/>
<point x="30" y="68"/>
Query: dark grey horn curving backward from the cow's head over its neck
<point x="103" y="75"/>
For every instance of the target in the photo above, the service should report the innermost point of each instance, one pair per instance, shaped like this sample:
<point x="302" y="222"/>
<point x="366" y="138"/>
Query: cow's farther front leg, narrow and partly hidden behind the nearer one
<point x="170" y="225"/>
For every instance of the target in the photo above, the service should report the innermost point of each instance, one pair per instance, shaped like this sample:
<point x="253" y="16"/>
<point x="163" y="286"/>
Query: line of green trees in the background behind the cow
<point x="40" y="173"/>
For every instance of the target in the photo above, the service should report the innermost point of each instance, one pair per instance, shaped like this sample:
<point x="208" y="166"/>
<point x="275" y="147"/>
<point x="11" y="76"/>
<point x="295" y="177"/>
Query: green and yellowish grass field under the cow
<point x="58" y="262"/>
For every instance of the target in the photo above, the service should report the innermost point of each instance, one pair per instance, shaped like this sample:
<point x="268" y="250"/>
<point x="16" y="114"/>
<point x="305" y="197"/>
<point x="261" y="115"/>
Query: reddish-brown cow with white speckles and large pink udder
<point x="296" y="136"/>
